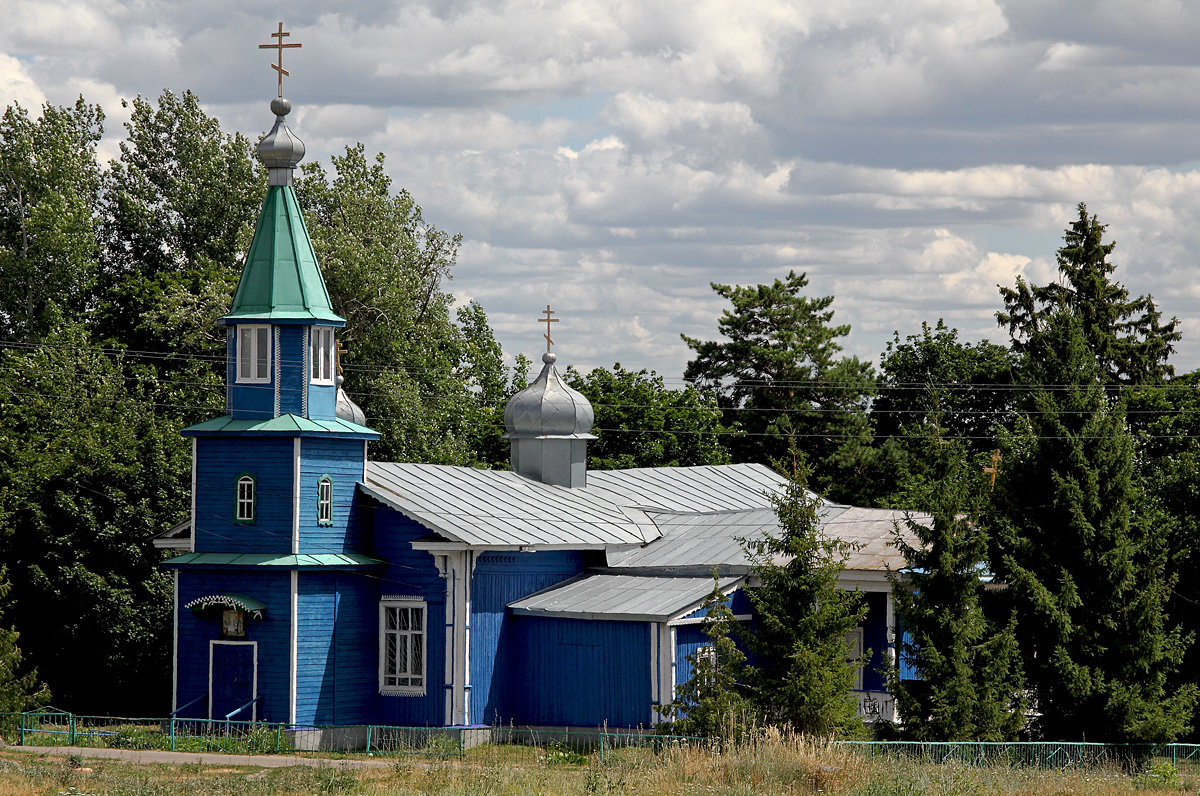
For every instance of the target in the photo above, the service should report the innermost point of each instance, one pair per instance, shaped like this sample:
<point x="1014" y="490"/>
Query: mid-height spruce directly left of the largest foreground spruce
<point x="970" y="684"/>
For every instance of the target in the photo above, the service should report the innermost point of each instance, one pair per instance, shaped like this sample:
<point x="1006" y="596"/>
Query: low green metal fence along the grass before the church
<point x="56" y="728"/>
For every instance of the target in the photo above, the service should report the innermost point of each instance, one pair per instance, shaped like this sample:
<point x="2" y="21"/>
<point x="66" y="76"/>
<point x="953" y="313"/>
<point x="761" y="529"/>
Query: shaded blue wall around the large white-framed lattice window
<point x="411" y="573"/>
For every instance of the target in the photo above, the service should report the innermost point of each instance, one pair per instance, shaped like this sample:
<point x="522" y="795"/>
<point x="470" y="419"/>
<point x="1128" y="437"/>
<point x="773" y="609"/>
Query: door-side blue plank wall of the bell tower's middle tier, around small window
<point x="220" y="463"/>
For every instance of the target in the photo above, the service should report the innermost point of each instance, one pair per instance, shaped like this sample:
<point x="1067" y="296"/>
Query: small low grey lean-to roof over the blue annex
<point x="621" y="599"/>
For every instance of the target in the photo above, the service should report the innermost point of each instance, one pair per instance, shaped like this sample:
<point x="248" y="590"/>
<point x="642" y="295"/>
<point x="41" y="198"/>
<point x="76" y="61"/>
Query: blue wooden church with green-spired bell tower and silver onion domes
<point x="319" y="588"/>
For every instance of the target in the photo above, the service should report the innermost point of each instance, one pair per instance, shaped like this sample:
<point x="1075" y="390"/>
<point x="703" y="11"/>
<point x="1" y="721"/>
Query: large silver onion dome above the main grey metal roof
<point x="549" y="409"/>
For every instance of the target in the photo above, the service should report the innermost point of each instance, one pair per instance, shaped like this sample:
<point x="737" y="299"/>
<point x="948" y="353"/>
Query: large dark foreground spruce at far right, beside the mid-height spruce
<point x="1084" y="556"/>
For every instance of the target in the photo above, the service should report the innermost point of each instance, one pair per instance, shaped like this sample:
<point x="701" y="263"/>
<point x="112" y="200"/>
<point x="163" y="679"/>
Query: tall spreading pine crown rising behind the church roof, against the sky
<point x="781" y="380"/>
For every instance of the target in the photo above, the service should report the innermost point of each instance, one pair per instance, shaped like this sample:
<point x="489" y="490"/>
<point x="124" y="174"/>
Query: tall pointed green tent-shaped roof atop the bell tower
<point x="281" y="280"/>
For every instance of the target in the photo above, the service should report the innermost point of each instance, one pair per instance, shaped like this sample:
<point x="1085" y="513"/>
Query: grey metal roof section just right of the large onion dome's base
<point x="717" y="488"/>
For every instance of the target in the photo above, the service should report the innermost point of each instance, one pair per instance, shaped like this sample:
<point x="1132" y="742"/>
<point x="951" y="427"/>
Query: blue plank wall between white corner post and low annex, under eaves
<point x="500" y="579"/>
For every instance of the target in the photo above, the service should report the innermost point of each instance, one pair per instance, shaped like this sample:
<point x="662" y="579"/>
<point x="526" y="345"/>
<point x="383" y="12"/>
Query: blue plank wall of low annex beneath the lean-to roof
<point x="581" y="674"/>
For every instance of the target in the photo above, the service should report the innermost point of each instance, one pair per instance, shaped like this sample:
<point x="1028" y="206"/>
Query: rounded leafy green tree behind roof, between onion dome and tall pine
<point x="641" y="423"/>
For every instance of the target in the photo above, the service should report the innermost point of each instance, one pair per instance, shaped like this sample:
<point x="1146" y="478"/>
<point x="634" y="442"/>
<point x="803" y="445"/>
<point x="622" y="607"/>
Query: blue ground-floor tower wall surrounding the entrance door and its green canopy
<point x="273" y="590"/>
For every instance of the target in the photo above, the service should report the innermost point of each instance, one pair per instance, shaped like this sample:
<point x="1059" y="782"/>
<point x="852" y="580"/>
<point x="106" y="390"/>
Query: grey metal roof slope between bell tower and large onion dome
<point x="499" y="508"/>
